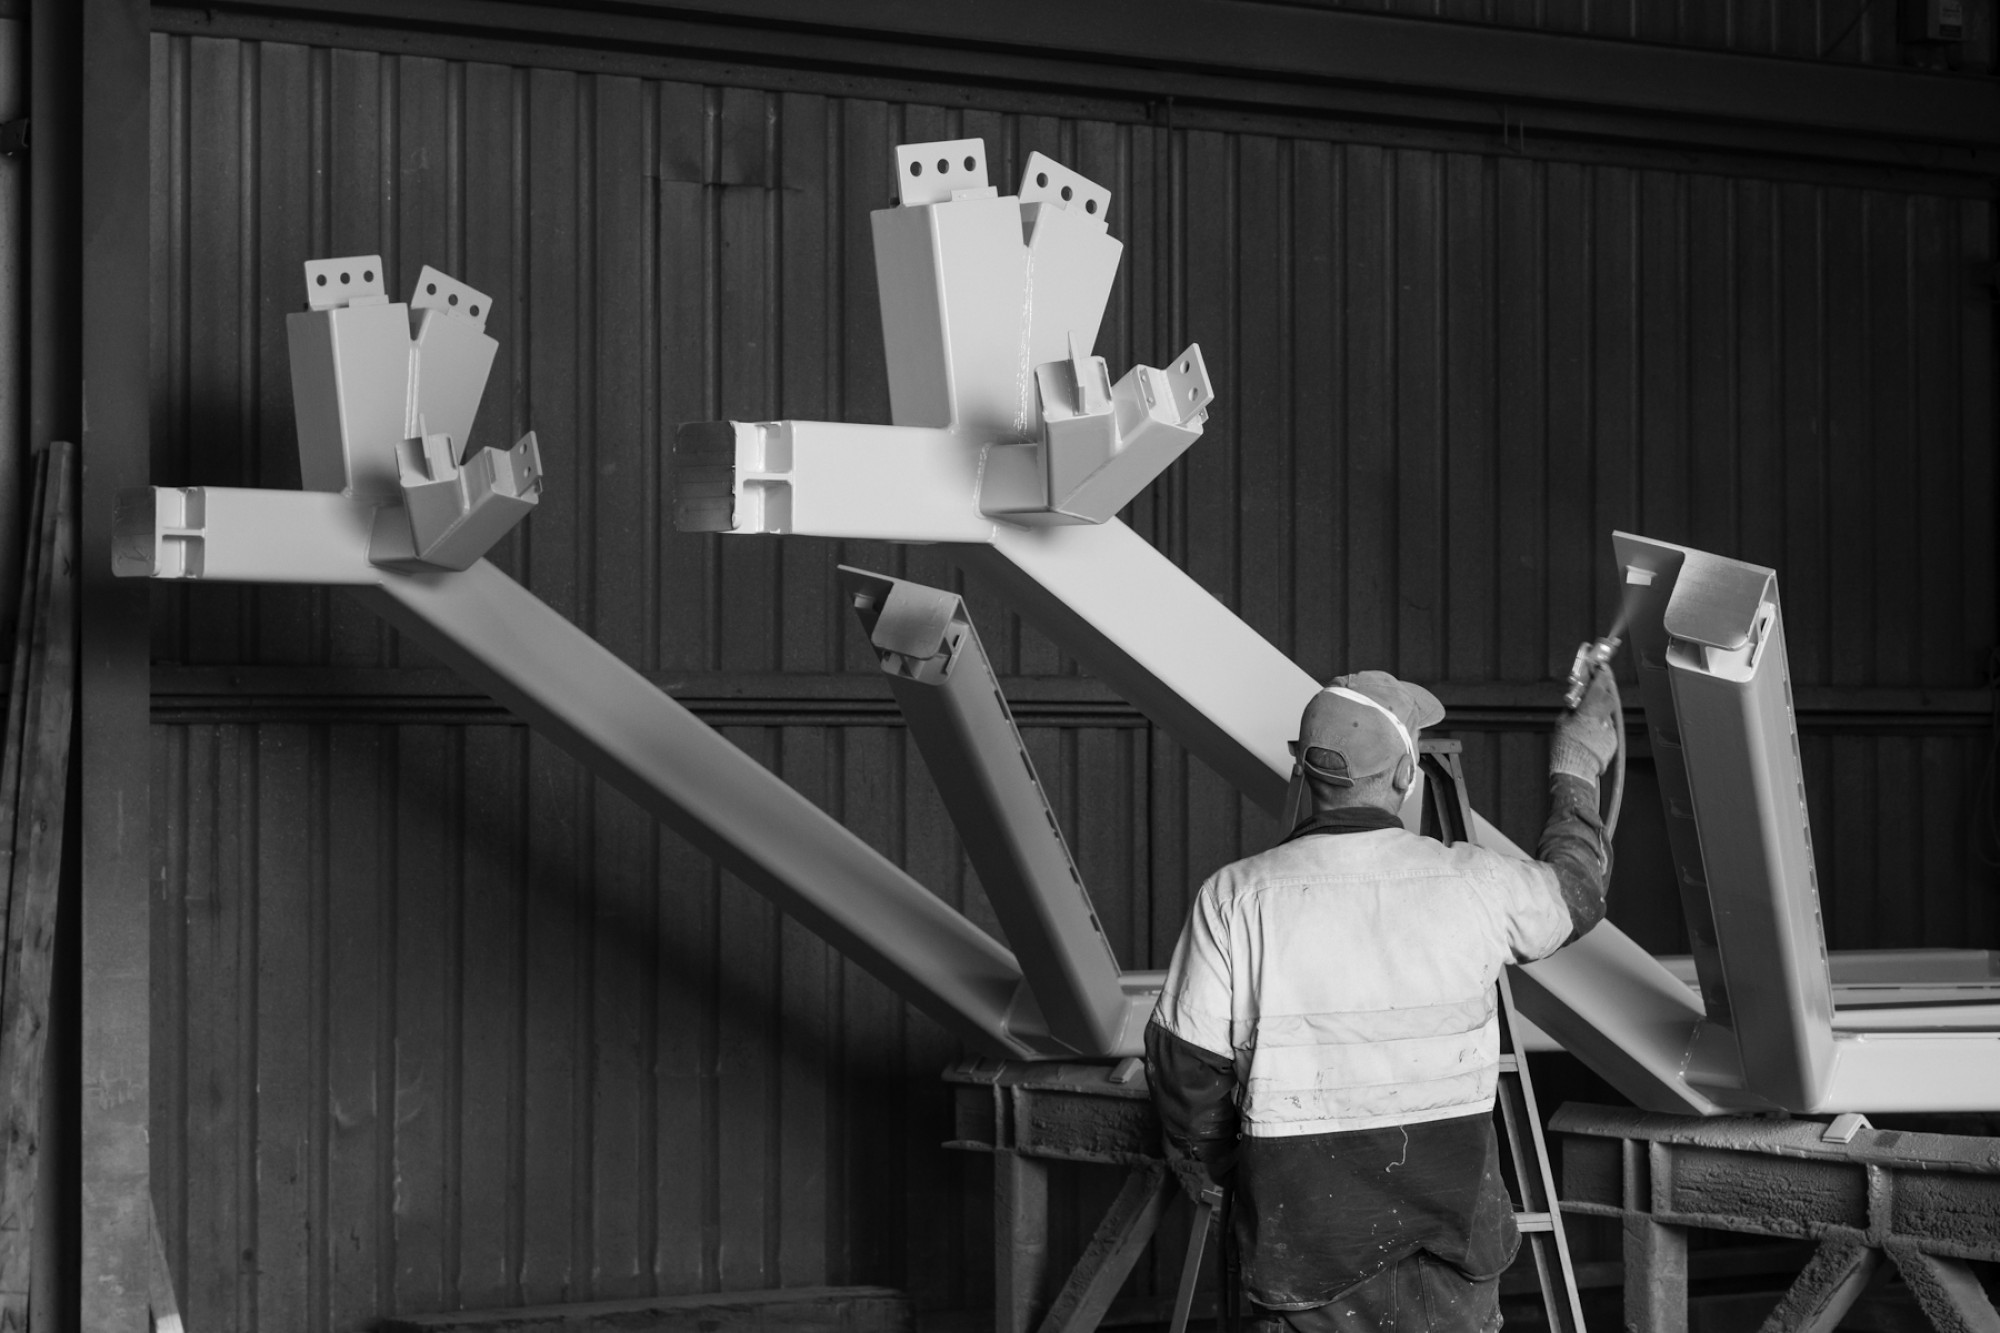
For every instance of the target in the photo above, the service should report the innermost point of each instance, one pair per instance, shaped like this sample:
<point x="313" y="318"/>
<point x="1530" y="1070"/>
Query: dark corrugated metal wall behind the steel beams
<point x="445" y="1024"/>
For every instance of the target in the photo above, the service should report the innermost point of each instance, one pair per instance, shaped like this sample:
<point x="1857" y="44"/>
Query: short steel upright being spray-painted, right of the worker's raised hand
<point x="1709" y="635"/>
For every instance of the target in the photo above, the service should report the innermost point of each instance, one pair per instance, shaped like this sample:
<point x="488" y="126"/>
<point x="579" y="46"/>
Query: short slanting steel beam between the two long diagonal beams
<point x="947" y="690"/>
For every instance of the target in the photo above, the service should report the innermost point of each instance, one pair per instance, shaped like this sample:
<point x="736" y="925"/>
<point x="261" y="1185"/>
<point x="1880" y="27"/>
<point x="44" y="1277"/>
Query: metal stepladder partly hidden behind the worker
<point x="1525" y="1166"/>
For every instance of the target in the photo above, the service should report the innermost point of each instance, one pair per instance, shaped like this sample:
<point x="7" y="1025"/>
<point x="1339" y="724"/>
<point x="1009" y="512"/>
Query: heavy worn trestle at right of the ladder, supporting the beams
<point x="1923" y="1202"/>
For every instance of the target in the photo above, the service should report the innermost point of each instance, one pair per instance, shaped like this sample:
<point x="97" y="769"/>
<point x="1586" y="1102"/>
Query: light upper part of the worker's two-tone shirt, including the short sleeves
<point x="1353" y="978"/>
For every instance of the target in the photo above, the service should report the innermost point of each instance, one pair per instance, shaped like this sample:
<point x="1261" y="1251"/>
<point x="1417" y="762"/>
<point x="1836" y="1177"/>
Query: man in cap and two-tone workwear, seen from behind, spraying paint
<point x="1327" y="1044"/>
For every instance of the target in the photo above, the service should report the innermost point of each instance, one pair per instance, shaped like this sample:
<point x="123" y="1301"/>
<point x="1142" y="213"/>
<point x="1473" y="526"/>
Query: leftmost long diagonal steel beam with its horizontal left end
<point x="623" y="730"/>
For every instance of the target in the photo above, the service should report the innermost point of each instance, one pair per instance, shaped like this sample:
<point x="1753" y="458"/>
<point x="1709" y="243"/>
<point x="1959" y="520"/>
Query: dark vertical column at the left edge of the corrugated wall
<point x="113" y="407"/>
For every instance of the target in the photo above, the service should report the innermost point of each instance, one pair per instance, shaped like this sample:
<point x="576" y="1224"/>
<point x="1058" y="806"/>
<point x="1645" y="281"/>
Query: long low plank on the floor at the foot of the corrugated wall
<point x="803" y="1310"/>
